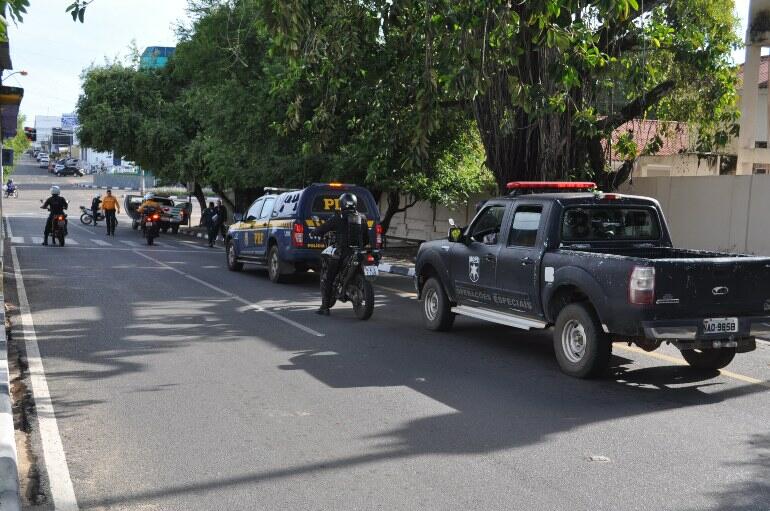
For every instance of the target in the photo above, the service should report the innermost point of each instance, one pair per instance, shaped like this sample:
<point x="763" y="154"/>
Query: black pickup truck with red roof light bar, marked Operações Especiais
<point x="598" y="268"/>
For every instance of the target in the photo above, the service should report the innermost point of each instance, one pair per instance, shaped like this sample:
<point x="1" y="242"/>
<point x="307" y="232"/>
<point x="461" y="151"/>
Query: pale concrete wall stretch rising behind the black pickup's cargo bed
<point x="726" y="213"/>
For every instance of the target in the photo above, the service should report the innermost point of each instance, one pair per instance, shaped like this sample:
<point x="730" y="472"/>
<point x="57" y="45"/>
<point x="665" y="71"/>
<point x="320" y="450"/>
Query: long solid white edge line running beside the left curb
<point x="53" y="450"/>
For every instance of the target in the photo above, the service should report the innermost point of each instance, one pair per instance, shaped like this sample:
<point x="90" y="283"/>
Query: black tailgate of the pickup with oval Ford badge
<point x="725" y="286"/>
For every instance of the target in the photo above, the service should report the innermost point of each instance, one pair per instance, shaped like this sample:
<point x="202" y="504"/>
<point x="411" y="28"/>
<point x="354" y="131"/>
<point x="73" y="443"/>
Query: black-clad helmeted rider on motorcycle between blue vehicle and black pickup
<point x="351" y="230"/>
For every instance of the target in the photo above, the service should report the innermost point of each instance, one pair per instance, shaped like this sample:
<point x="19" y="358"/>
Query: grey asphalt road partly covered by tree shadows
<point x="177" y="384"/>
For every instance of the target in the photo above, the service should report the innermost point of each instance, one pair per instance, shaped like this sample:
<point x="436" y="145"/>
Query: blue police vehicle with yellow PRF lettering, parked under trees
<point x="275" y="231"/>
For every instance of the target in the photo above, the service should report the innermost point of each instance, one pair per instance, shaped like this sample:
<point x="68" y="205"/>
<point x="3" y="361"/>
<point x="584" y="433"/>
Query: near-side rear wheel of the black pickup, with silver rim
<point x="582" y="348"/>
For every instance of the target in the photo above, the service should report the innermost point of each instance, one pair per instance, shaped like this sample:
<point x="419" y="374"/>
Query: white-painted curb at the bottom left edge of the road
<point x="9" y="471"/>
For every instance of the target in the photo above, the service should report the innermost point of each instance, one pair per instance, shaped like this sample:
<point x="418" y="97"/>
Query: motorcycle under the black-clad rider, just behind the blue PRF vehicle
<point x="354" y="279"/>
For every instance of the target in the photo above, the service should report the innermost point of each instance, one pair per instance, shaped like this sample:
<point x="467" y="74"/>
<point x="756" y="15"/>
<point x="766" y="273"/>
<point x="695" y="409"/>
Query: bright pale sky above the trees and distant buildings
<point x="54" y="50"/>
